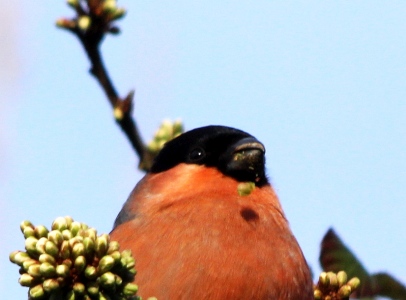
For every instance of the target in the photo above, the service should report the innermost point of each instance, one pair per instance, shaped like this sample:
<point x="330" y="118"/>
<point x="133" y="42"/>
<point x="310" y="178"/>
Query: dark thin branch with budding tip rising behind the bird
<point x="90" y="26"/>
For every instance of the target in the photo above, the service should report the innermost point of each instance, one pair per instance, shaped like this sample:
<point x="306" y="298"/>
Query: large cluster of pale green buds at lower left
<point x="72" y="262"/>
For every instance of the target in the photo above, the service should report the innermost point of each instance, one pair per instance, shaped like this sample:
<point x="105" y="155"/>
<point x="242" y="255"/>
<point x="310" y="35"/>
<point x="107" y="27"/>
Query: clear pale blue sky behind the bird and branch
<point x="320" y="83"/>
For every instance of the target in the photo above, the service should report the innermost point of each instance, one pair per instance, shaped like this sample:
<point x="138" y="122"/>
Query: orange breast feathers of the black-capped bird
<point x="195" y="237"/>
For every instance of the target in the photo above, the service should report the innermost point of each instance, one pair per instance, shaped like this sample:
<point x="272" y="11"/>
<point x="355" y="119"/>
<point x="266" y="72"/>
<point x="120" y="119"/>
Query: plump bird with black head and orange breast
<point x="205" y="223"/>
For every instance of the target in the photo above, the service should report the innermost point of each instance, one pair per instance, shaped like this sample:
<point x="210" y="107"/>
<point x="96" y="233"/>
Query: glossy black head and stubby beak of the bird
<point x="233" y="152"/>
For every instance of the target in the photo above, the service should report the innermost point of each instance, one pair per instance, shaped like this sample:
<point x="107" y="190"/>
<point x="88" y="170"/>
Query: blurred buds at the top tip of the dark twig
<point x="101" y="12"/>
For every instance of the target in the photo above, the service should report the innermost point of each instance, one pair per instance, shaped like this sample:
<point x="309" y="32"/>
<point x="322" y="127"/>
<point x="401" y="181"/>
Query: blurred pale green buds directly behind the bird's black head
<point x="167" y="131"/>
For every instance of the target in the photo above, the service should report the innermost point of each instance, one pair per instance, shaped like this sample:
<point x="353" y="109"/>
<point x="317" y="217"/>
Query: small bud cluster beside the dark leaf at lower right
<point x="334" y="286"/>
